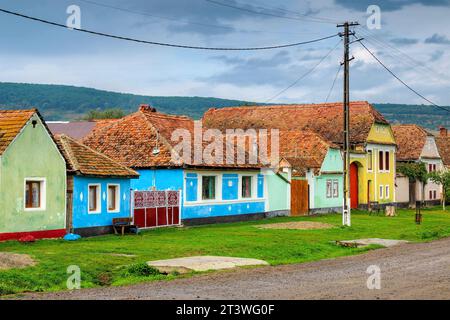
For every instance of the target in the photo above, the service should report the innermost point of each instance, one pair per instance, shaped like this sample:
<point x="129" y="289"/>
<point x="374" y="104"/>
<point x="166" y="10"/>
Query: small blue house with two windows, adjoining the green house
<point x="98" y="188"/>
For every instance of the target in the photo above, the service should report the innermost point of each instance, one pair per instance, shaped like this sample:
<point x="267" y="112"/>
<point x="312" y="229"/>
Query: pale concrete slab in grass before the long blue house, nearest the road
<point x="203" y="263"/>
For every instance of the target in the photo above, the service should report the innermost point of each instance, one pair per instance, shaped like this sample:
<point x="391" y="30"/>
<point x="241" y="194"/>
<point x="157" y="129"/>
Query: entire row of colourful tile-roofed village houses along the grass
<point x="77" y="177"/>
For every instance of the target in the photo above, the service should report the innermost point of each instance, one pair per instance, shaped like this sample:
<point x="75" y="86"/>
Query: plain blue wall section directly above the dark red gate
<point x="161" y="179"/>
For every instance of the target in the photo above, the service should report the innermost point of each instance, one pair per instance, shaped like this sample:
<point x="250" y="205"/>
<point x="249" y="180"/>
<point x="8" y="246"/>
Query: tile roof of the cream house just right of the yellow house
<point x="410" y="139"/>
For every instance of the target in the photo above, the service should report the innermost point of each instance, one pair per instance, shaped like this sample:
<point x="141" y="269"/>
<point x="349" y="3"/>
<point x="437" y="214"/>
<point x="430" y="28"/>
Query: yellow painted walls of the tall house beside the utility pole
<point x="380" y="138"/>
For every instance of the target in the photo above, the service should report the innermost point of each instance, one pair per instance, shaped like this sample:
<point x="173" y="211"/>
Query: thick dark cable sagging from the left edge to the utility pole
<point x="162" y="43"/>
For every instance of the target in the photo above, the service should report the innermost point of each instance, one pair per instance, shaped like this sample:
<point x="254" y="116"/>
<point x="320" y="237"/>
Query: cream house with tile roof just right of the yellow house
<point x="415" y="145"/>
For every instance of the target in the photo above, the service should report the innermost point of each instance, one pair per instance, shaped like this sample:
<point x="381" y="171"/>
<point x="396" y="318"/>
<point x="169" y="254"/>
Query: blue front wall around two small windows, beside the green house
<point x="80" y="216"/>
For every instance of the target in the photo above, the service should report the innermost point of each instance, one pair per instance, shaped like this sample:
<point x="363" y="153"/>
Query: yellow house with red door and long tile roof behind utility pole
<point x="372" y="165"/>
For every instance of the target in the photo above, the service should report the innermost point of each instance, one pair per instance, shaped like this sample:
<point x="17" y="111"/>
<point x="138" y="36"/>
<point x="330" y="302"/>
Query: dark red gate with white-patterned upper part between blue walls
<point x="156" y="208"/>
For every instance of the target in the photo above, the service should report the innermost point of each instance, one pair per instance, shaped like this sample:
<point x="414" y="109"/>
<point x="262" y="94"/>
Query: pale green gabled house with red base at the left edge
<point x="32" y="178"/>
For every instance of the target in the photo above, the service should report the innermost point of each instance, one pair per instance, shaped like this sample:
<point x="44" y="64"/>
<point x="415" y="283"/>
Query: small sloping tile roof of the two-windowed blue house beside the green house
<point x="81" y="159"/>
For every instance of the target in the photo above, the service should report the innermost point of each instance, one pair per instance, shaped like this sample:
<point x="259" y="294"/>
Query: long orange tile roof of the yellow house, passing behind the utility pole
<point x="324" y="119"/>
